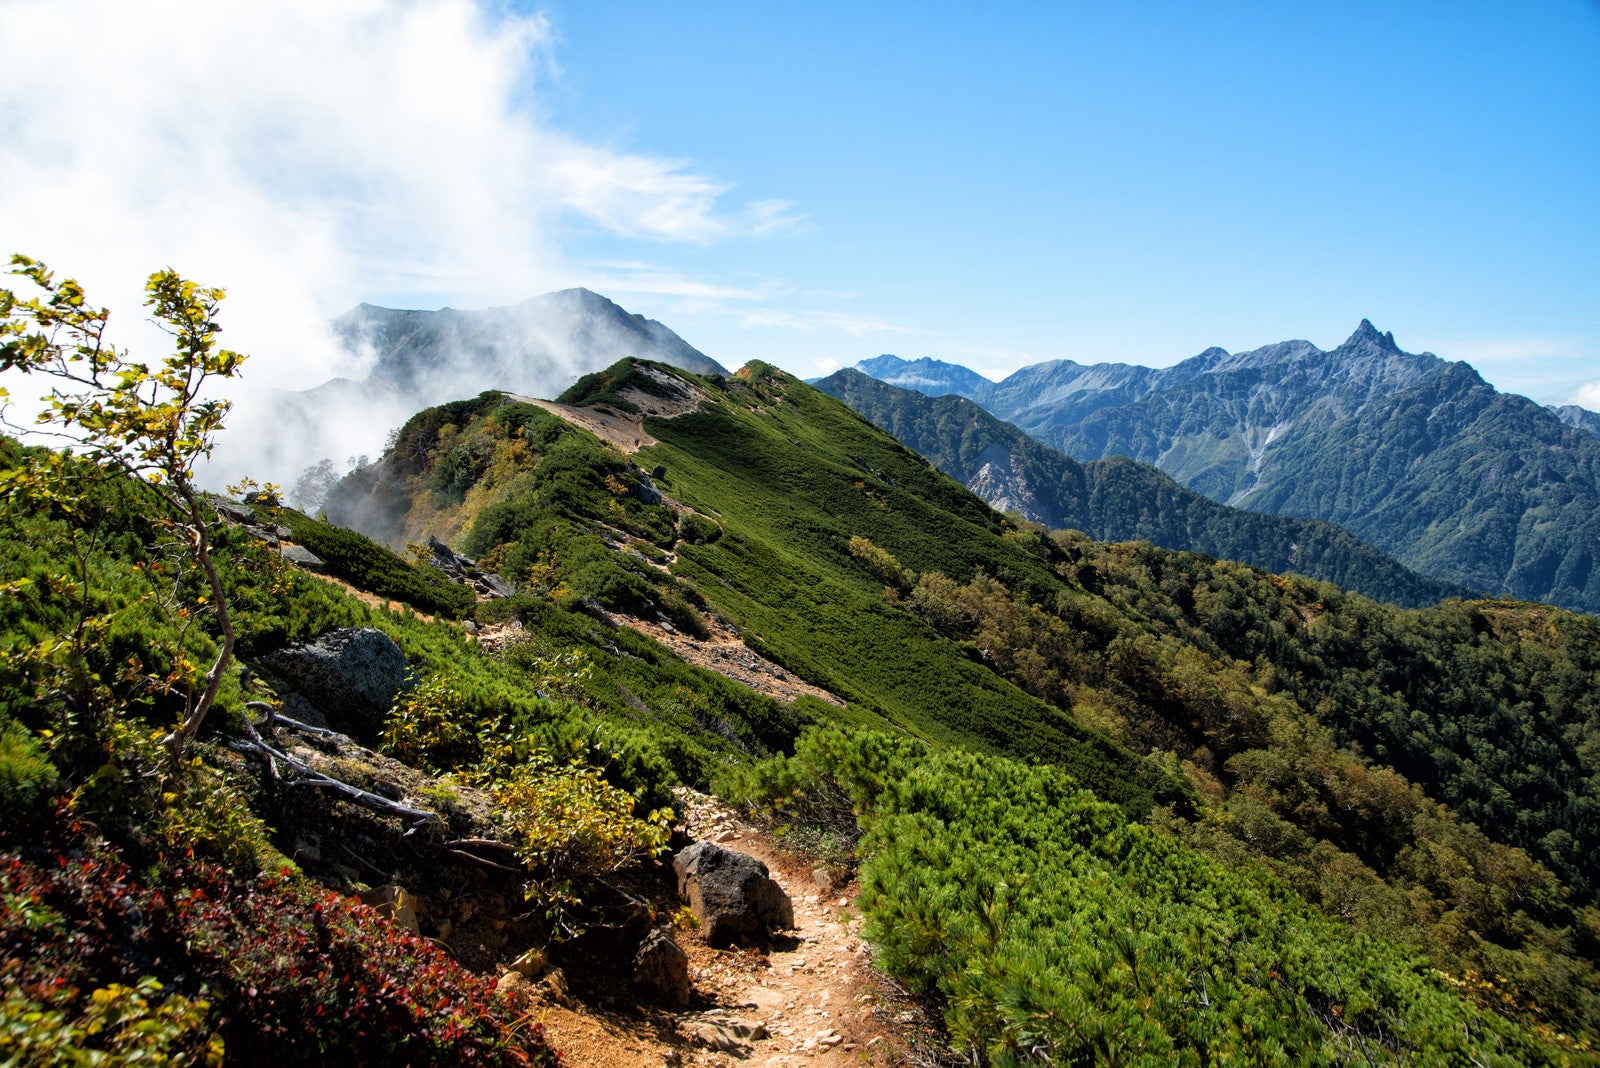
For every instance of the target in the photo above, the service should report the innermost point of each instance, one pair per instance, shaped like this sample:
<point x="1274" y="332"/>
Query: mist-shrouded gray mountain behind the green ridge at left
<point x="425" y="359"/>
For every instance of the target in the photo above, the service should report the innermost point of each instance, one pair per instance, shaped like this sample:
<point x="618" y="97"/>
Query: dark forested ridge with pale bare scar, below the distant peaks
<point x="1121" y="500"/>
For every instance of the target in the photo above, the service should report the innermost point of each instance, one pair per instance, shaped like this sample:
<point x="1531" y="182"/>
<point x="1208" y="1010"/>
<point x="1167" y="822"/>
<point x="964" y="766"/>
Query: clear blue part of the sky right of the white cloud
<point x="1134" y="181"/>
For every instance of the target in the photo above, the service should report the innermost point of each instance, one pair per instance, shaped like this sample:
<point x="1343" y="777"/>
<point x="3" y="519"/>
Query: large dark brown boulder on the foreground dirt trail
<point x="732" y="895"/>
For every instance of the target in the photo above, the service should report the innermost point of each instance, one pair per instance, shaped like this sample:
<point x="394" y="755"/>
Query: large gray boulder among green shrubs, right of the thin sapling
<point x="353" y="675"/>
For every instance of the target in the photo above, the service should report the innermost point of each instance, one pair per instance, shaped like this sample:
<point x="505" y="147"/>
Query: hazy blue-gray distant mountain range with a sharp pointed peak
<point x="1412" y="453"/>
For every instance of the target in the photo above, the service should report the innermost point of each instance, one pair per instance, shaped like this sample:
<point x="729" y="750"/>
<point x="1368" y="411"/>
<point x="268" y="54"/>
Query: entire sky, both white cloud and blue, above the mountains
<point x="815" y="185"/>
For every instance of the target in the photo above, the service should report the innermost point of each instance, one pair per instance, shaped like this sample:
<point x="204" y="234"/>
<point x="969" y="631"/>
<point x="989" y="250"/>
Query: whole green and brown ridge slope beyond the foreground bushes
<point x="858" y="567"/>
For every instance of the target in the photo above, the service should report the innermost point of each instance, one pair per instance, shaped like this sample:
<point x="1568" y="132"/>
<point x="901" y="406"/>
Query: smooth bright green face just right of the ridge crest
<point x="791" y="477"/>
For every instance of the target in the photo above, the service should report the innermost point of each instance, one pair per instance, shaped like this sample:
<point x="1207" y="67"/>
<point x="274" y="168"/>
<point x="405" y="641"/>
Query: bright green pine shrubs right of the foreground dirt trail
<point x="1052" y="930"/>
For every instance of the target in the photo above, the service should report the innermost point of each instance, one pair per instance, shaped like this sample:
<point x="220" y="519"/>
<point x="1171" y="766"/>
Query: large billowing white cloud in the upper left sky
<point x="306" y="157"/>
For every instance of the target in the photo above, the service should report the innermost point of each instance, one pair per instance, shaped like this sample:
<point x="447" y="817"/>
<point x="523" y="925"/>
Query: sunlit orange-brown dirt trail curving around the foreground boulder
<point x="812" y="998"/>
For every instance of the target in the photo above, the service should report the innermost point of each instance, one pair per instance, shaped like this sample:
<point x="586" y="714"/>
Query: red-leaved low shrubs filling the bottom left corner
<point x="105" y="968"/>
